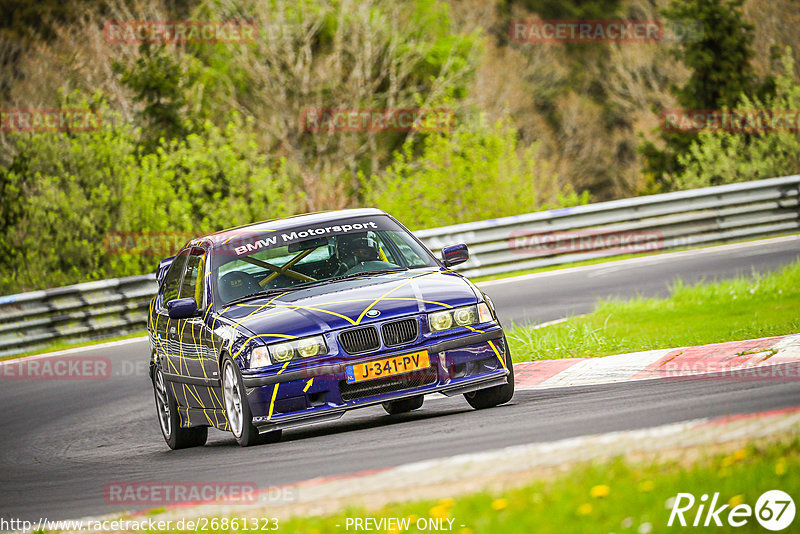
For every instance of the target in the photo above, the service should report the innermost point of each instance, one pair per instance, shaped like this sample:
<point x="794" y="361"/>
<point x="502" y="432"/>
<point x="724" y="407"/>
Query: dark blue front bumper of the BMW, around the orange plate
<point x="459" y="365"/>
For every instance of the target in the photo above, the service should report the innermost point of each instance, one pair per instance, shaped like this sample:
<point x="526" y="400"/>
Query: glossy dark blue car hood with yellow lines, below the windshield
<point x="346" y="302"/>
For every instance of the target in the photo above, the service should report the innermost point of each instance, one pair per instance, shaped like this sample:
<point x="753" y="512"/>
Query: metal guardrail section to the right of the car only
<point x="666" y="221"/>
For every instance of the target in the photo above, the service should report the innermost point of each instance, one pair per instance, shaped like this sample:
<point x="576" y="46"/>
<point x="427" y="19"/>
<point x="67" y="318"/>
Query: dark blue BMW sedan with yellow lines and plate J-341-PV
<point x="297" y="320"/>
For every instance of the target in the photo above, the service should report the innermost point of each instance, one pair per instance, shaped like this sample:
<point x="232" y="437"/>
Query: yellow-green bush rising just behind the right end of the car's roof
<point x="467" y="175"/>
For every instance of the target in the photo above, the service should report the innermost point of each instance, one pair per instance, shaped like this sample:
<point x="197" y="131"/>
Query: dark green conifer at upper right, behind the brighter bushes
<point x="720" y="73"/>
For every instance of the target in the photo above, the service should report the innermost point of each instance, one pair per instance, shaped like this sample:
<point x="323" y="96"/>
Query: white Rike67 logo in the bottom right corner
<point x="774" y="510"/>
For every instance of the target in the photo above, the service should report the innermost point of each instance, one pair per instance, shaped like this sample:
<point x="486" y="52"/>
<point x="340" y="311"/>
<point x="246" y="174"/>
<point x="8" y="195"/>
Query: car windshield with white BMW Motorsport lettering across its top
<point x="259" y="263"/>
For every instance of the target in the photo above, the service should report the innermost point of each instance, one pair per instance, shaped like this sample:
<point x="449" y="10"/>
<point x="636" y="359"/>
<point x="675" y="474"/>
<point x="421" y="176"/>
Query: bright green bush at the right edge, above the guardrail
<point x="726" y="157"/>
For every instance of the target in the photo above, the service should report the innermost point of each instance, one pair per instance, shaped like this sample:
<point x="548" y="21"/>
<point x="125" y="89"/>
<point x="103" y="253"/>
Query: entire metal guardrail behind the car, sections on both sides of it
<point x="659" y="222"/>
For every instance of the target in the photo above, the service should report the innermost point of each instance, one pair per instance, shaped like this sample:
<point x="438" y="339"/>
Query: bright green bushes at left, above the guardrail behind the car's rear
<point x="81" y="187"/>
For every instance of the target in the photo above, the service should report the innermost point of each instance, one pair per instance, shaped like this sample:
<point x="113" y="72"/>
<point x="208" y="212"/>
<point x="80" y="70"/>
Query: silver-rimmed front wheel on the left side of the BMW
<point x="240" y="418"/>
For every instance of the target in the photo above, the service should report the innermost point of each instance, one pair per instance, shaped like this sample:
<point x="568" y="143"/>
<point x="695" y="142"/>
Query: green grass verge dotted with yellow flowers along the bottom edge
<point x="614" y="496"/>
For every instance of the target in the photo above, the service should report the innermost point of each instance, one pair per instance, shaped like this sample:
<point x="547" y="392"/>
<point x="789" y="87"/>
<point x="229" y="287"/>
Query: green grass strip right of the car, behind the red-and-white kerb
<point x="749" y="307"/>
